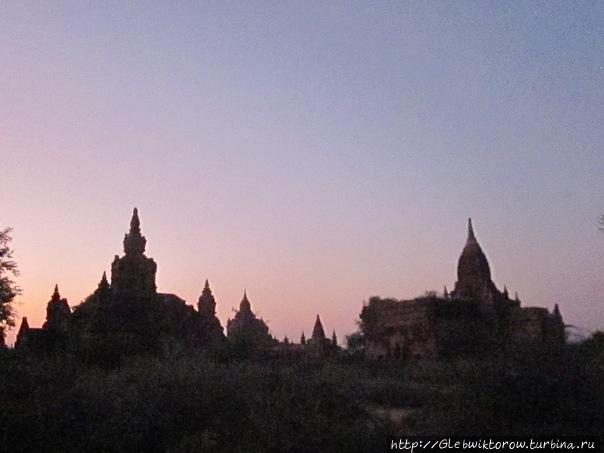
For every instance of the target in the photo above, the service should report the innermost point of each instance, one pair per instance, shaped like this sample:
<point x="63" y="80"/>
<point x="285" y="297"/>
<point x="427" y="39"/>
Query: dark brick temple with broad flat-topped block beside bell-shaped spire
<point x="475" y="317"/>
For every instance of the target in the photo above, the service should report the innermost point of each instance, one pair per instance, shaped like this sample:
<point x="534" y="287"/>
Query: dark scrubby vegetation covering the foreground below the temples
<point x="179" y="402"/>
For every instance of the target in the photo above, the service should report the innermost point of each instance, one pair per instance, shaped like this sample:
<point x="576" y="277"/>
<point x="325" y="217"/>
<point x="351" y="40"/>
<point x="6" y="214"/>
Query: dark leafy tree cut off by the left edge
<point x="8" y="288"/>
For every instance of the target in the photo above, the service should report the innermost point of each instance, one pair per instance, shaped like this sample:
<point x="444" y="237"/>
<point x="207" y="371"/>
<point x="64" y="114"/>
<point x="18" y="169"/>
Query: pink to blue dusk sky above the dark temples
<point x="312" y="153"/>
